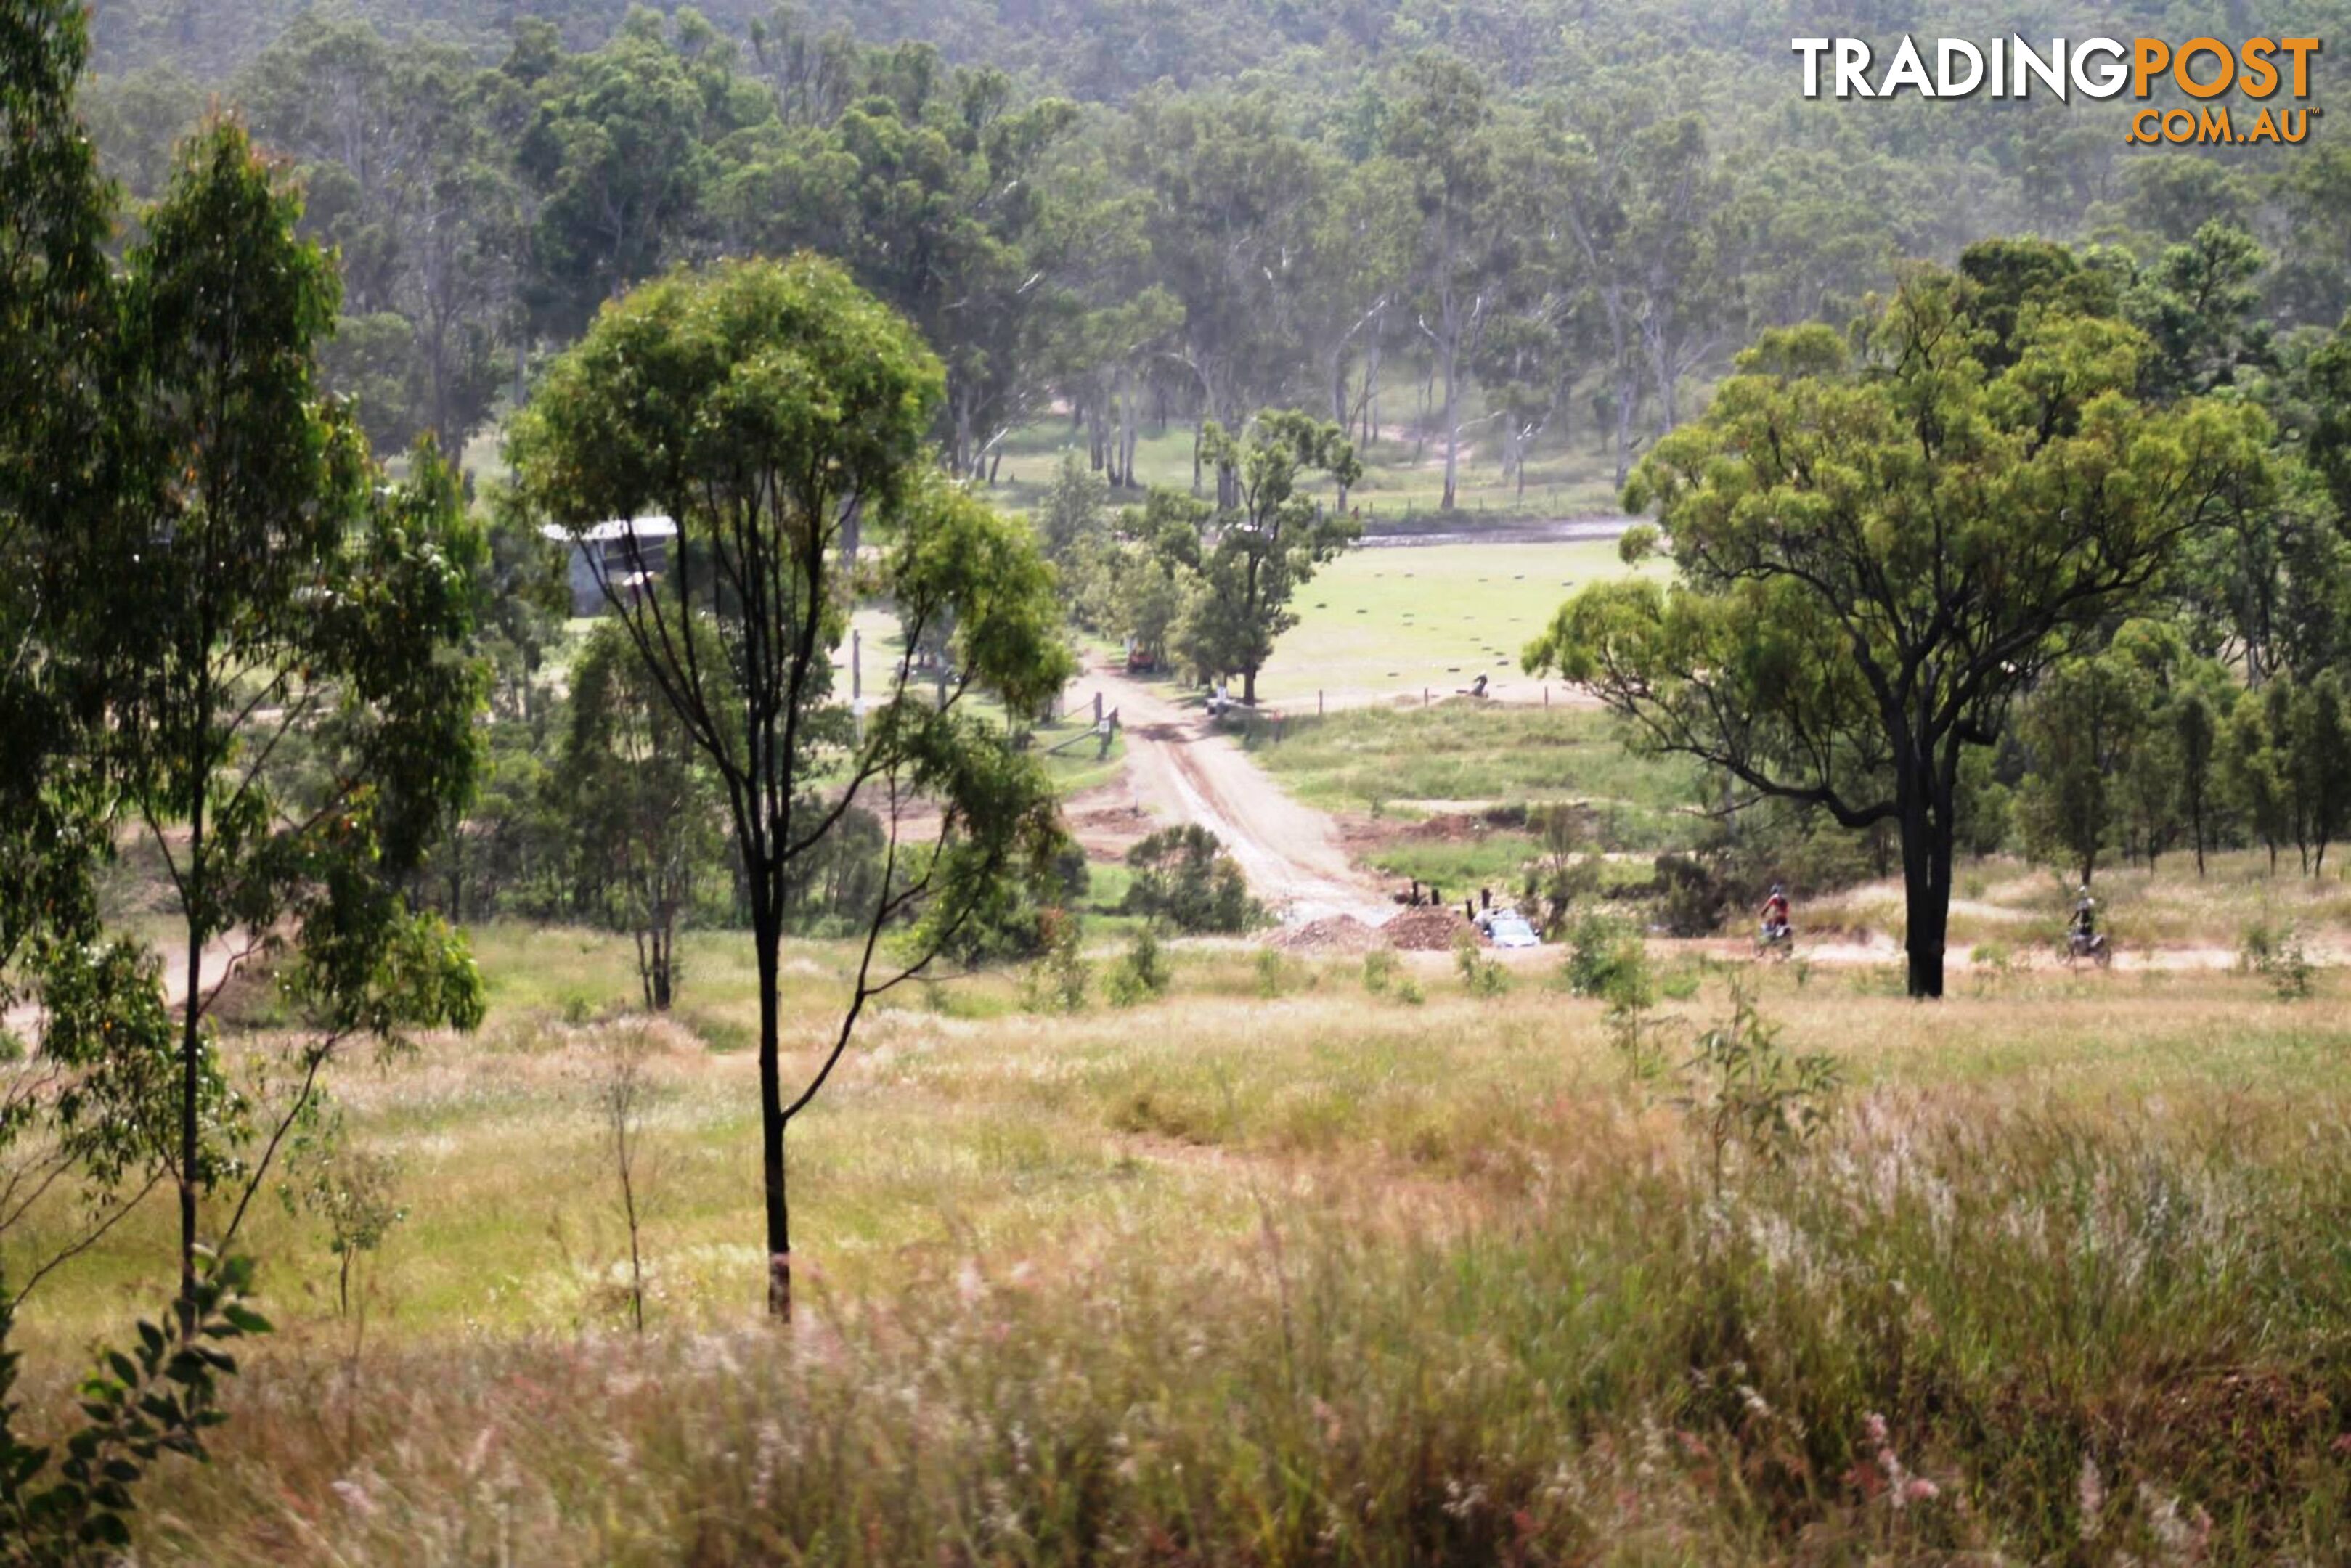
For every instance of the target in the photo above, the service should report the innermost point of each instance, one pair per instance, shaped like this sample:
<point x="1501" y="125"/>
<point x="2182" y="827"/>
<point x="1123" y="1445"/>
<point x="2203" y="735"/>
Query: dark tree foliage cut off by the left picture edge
<point x="62" y="1118"/>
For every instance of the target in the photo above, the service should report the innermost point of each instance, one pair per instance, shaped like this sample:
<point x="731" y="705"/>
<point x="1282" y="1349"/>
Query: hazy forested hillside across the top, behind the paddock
<point x="1541" y="217"/>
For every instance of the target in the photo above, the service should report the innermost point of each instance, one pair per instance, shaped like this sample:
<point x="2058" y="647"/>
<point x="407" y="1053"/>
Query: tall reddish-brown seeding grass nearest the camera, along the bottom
<point x="1960" y="1325"/>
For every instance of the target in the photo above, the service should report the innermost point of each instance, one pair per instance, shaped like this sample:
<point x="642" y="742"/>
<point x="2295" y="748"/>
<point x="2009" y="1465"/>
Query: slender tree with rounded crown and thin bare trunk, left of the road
<point x="761" y="406"/>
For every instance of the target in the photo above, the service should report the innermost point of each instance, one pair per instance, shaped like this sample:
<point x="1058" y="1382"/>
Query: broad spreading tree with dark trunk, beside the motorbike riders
<point x="1882" y="544"/>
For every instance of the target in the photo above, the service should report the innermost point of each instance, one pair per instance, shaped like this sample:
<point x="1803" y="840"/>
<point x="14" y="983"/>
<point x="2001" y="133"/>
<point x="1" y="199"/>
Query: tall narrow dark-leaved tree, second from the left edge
<point x="288" y="713"/>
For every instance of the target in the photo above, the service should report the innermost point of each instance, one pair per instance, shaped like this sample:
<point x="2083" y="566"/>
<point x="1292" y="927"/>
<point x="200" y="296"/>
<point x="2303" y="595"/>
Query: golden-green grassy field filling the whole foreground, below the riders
<point x="1294" y="1271"/>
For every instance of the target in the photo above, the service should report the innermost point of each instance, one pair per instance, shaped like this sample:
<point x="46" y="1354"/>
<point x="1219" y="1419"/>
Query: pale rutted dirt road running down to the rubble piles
<point x="1184" y="772"/>
